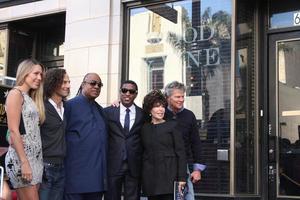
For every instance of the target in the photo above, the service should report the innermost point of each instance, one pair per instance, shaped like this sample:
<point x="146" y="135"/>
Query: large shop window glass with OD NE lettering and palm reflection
<point x="190" y="41"/>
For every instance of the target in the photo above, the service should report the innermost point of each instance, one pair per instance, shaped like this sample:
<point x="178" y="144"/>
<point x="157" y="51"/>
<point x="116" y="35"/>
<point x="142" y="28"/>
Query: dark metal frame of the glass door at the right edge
<point x="273" y="144"/>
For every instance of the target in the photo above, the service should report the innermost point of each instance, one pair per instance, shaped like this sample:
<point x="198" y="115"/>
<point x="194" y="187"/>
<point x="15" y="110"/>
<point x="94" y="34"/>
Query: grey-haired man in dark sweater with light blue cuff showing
<point x="187" y="125"/>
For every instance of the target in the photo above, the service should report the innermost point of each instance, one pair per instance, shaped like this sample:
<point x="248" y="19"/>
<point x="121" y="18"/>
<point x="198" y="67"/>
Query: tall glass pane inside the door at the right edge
<point x="289" y="117"/>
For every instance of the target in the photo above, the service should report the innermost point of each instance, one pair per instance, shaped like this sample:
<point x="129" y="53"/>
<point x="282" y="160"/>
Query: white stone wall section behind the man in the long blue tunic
<point x="93" y="43"/>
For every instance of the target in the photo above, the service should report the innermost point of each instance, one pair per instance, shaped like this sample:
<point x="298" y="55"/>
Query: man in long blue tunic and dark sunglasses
<point x="86" y="139"/>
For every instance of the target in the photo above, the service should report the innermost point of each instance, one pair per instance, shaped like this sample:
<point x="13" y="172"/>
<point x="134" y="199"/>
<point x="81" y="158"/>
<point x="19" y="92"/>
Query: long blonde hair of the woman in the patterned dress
<point x="24" y="68"/>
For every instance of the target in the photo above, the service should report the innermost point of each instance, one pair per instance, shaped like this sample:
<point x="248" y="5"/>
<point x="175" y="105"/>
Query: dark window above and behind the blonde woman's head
<point x="40" y="37"/>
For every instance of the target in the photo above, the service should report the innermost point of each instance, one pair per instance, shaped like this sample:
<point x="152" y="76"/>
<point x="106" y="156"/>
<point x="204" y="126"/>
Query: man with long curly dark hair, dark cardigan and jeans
<point x="56" y="89"/>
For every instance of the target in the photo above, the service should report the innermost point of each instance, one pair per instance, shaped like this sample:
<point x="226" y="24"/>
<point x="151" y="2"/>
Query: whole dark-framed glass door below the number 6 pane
<point x="284" y="112"/>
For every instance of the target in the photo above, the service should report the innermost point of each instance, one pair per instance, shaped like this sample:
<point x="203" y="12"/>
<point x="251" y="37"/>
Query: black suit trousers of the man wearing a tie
<point x="123" y="179"/>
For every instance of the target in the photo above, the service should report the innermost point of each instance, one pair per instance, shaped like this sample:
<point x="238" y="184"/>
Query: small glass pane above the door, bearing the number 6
<point x="282" y="13"/>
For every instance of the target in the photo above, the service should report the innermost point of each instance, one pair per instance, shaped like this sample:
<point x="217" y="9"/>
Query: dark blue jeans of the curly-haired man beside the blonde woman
<point x="52" y="187"/>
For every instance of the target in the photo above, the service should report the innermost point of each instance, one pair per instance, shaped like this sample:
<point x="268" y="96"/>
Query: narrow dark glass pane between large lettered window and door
<point x="245" y="98"/>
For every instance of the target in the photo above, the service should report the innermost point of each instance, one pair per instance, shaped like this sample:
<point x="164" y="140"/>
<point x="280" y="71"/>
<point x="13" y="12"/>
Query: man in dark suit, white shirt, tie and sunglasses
<point x="124" y="145"/>
